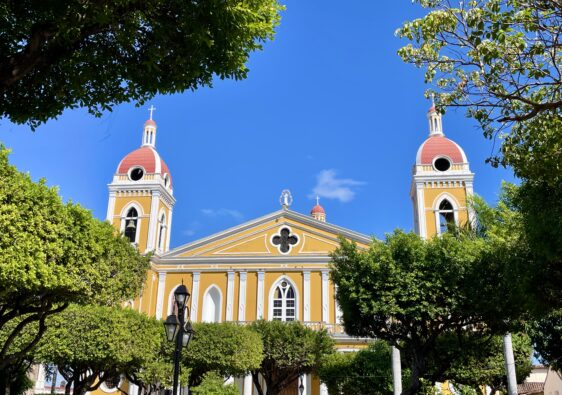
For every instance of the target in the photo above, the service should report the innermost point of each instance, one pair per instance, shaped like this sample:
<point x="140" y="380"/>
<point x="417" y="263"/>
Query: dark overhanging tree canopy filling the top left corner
<point x="97" y="54"/>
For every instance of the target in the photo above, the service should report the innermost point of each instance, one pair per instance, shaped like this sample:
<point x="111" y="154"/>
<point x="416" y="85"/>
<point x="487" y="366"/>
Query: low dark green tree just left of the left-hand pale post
<point x="366" y="372"/>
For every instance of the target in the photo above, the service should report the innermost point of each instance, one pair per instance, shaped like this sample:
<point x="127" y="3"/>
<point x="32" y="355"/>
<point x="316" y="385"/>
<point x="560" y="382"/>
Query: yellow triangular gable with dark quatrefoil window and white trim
<point x="262" y="237"/>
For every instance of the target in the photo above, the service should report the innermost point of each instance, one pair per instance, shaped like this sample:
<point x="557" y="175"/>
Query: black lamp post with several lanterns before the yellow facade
<point x="178" y="330"/>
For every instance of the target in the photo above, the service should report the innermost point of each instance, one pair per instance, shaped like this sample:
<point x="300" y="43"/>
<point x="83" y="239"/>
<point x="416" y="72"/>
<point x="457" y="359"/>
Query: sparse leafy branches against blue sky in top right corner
<point x="499" y="58"/>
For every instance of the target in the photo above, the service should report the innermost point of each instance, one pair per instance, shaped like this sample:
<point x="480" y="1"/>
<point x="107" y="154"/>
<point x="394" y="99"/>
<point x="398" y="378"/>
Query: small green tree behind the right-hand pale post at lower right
<point x="486" y="365"/>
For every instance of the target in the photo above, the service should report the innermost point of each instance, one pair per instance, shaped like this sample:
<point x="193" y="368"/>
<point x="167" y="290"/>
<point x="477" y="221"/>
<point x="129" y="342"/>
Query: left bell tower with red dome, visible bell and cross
<point x="141" y="196"/>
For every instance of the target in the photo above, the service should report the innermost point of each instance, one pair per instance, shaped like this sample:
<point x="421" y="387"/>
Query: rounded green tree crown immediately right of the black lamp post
<point x="225" y="348"/>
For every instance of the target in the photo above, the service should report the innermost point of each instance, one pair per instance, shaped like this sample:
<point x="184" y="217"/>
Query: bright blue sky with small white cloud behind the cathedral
<point x="327" y="107"/>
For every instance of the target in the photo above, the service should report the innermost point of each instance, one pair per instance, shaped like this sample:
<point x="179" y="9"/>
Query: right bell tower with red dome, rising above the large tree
<point x="441" y="182"/>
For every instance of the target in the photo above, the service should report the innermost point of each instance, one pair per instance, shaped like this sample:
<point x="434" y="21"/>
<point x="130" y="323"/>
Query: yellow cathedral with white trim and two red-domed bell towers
<point x="274" y="267"/>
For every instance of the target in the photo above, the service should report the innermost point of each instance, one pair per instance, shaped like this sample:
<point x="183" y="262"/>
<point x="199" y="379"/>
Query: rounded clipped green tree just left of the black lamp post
<point x="93" y="344"/>
